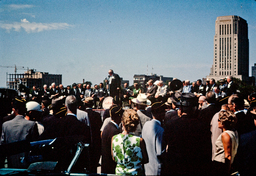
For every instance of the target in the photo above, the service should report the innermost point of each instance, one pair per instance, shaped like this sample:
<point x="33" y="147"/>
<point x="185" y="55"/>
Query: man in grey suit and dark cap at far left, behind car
<point x="18" y="129"/>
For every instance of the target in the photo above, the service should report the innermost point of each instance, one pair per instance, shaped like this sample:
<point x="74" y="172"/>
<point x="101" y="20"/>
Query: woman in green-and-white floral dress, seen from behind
<point x="128" y="150"/>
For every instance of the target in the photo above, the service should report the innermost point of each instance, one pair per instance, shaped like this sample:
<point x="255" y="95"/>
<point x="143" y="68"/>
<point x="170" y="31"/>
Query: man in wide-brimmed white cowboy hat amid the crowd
<point x="141" y="102"/>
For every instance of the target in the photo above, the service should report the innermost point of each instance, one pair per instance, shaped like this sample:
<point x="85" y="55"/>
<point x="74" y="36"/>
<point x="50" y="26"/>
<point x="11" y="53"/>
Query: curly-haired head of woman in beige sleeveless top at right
<point x="227" y="120"/>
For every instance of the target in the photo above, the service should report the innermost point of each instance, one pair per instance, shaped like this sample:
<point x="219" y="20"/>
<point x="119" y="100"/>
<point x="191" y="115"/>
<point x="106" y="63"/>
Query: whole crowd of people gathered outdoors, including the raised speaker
<point x="181" y="128"/>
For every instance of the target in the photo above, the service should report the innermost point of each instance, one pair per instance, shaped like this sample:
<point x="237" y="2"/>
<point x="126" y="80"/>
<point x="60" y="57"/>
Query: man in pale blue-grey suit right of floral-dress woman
<point x="152" y="133"/>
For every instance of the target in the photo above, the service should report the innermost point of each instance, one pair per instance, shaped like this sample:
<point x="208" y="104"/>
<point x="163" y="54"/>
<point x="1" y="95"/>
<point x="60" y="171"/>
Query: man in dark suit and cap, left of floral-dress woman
<point x="112" y="128"/>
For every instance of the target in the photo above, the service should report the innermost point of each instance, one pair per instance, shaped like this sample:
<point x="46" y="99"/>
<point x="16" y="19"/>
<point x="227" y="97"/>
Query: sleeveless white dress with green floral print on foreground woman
<point x="127" y="154"/>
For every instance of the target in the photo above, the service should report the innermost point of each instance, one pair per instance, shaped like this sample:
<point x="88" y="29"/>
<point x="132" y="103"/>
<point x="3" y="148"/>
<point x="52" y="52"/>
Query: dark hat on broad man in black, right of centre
<point x="187" y="99"/>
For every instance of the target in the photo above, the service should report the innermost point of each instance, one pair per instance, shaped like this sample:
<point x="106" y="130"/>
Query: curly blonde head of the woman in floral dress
<point x="130" y="120"/>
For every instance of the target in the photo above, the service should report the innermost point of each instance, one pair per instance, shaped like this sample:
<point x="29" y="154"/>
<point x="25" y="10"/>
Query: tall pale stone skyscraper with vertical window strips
<point x="231" y="48"/>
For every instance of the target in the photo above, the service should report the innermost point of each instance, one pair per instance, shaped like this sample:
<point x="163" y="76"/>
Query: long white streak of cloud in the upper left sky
<point x="33" y="27"/>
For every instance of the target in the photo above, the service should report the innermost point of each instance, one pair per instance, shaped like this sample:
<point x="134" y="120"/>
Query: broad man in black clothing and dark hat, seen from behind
<point x="186" y="141"/>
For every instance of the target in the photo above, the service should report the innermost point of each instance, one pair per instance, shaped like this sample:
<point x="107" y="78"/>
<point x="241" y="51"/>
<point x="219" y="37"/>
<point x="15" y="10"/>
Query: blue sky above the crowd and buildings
<point x="83" y="39"/>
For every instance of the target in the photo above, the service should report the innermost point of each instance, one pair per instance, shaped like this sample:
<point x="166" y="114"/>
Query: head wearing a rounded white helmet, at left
<point x="33" y="110"/>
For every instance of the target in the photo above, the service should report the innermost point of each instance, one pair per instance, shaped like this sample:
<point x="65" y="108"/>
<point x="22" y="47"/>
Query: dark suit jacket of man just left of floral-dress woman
<point x="108" y="165"/>
